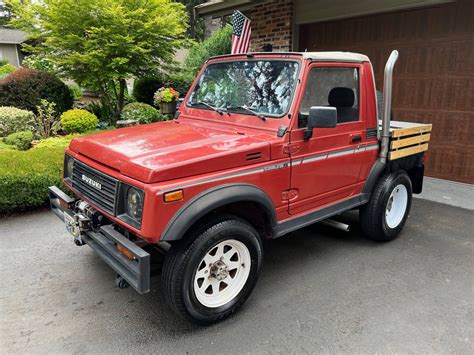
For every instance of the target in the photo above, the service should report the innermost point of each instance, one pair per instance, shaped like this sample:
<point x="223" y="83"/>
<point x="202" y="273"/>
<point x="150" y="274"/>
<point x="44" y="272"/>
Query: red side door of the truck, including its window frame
<point x="325" y="169"/>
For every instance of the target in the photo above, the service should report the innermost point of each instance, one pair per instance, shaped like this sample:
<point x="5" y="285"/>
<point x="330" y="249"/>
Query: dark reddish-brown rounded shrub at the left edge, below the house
<point x="24" y="88"/>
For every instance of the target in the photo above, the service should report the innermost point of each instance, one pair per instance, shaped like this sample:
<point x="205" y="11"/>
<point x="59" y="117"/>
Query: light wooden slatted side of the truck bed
<point x="408" y="138"/>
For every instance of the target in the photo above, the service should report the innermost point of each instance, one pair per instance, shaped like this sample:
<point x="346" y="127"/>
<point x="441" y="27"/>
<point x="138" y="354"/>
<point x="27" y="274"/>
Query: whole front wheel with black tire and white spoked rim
<point x="211" y="273"/>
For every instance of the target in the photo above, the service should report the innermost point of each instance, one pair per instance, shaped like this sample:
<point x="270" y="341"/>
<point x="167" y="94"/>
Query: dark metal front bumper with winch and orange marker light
<point x="106" y="241"/>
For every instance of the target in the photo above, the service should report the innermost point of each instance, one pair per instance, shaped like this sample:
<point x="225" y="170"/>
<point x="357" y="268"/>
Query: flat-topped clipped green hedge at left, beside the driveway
<point x="25" y="177"/>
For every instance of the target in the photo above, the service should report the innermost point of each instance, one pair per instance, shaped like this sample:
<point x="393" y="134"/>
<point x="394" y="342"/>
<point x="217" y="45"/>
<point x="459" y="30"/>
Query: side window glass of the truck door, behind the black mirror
<point x="335" y="87"/>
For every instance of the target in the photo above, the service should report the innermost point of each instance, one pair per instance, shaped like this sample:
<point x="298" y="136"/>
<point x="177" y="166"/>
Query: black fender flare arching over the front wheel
<point x="213" y="198"/>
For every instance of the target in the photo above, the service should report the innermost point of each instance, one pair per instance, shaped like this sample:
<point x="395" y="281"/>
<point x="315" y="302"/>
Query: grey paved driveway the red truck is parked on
<point x="321" y="290"/>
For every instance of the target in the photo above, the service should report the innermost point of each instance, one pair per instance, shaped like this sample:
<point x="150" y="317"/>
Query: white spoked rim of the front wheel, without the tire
<point x="222" y="273"/>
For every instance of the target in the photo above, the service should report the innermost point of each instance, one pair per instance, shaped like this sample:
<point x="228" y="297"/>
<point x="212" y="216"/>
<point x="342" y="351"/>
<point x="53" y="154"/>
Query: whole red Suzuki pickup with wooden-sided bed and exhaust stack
<point x="262" y="145"/>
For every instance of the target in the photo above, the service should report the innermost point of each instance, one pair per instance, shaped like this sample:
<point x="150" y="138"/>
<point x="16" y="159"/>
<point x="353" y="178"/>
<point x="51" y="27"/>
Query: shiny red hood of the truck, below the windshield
<point x="170" y="150"/>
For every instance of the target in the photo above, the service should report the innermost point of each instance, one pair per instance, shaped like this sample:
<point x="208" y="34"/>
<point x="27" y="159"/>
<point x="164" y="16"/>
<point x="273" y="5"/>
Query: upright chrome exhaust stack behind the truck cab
<point x="387" y="105"/>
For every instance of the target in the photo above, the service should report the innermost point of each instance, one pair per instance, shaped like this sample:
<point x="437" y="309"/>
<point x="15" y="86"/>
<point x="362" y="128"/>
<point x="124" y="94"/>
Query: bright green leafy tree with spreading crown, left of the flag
<point x="101" y="43"/>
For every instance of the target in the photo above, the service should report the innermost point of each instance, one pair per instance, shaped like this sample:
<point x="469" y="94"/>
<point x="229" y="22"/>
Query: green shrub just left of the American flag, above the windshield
<point x="217" y="44"/>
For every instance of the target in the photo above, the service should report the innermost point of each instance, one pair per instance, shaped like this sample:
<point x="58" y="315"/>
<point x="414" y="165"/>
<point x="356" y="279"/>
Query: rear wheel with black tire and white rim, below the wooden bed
<point x="384" y="216"/>
